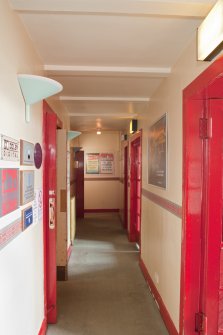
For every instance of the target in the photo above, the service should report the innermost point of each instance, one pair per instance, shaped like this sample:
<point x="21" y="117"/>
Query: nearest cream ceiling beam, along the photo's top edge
<point x="173" y="8"/>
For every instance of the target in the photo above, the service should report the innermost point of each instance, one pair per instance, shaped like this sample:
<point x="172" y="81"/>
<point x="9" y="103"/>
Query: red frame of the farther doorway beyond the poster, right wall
<point x="132" y="233"/>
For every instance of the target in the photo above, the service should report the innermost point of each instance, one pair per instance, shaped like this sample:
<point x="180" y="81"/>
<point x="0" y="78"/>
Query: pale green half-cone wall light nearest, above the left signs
<point x="36" y="88"/>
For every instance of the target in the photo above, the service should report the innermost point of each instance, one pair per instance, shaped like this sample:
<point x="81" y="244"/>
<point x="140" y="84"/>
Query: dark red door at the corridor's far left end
<point x="79" y="176"/>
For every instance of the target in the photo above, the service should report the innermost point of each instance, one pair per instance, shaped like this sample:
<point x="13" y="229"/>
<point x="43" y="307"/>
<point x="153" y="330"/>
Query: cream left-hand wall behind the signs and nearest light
<point x="21" y="261"/>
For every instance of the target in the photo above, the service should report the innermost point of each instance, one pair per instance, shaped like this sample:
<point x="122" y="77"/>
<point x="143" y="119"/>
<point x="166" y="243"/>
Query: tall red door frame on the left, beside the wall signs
<point x="50" y="308"/>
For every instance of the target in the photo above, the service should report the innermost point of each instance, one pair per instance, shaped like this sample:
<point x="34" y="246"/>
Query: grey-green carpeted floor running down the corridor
<point x="106" y="293"/>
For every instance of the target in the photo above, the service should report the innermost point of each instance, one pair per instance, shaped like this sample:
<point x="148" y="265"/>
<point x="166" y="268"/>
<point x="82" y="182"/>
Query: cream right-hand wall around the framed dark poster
<point x="161" y="230"/>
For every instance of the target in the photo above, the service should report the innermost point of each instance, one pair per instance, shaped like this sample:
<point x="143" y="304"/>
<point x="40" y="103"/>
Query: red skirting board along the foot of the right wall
<point x="163" y="310"/>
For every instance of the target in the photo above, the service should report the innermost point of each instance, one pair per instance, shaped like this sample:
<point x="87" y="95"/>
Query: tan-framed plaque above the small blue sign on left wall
<point x="26" y="187"/>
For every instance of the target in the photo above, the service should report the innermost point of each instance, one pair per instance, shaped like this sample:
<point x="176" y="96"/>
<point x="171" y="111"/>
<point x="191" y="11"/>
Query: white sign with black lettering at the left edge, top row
<point x="9" y="148"/>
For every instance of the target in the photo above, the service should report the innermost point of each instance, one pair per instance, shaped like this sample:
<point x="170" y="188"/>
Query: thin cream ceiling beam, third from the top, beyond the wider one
<point x="105" y="99"/>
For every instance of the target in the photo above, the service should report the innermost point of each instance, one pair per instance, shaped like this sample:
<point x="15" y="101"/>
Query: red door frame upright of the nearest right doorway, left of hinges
<point x="192" y="204"/>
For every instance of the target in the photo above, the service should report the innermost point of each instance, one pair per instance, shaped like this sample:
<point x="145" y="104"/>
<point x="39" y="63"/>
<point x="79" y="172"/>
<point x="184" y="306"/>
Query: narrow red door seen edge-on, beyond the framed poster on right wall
<point x="135" y="190"/>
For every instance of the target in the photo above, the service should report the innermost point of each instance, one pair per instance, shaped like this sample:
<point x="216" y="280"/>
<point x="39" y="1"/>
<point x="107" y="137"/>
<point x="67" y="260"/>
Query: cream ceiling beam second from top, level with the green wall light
<point x="72" y="70"/>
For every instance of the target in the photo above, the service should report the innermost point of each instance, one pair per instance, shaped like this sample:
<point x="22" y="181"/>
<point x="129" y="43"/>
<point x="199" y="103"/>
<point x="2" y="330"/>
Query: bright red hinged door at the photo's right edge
<point x="211" y="281"/>
